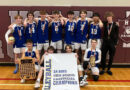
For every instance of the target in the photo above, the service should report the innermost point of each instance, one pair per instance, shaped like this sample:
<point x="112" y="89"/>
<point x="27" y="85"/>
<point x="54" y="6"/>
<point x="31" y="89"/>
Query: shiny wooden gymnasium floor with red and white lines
<point x="119" y="81"/>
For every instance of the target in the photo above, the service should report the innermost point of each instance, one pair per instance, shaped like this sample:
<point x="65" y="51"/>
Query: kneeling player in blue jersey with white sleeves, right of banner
<point x="96" y="54"/>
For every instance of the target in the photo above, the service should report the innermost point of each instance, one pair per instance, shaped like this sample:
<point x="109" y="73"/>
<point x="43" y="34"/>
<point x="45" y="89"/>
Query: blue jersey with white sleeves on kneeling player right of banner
<point x="89" y="53"/>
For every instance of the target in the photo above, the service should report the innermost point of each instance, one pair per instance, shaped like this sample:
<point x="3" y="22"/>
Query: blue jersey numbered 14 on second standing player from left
<point x="31" y="32"/>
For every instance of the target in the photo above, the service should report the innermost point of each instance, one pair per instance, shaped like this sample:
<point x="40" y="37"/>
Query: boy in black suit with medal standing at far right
<point x="110" y="39"/>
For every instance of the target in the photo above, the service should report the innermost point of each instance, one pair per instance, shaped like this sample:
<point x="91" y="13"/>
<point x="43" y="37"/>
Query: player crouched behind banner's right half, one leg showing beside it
<point x="83" y="81"/>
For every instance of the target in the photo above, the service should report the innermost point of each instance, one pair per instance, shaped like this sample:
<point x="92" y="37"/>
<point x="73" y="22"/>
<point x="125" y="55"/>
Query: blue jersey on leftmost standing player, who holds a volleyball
<point x="19" y="35"/>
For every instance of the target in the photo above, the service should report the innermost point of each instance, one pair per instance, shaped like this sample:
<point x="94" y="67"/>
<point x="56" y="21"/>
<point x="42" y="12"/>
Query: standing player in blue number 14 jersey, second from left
<point x="31" y="28"/>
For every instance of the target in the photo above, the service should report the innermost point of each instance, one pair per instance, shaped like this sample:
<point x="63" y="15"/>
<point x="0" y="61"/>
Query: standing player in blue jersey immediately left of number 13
<point x="82" y="31"/>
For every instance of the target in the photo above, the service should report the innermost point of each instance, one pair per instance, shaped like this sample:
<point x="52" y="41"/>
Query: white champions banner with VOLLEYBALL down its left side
<point x="60" y="72"/>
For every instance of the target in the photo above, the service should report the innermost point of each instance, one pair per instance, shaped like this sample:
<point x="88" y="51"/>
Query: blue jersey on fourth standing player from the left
<point x="56" y="34"/>
